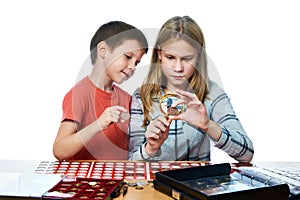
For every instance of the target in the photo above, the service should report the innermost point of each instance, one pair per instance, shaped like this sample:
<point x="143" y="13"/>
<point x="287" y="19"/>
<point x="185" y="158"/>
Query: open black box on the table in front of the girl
<point x="216" y="182"/>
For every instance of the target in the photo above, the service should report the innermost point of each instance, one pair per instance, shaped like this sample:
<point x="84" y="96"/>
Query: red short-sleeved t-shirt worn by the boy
<point x="84" y="103"/>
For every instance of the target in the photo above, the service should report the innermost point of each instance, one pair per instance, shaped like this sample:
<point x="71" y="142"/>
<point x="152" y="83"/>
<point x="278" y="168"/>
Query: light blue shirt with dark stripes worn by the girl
<point x="186" y="142"/>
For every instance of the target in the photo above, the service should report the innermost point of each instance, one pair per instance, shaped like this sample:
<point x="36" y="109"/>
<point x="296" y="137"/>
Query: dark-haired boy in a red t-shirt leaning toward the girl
<point x="95" y="111"/>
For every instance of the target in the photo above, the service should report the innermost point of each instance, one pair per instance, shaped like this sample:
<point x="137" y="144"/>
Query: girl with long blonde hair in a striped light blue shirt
<point x="179" y="65"/>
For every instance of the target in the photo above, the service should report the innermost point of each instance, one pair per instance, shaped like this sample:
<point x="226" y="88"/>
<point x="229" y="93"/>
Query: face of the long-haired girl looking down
<point x="178" y="59"/>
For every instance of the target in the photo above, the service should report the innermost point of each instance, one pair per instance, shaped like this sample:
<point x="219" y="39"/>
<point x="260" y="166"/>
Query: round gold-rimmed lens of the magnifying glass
<point x="167" y="105"/>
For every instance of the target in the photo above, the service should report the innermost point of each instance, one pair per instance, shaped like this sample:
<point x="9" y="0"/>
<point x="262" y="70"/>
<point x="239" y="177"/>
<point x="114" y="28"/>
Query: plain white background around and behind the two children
<point x="253" y="44"/>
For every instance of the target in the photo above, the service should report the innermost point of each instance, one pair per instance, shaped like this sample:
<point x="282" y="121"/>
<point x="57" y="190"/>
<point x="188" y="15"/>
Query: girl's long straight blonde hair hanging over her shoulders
<point x="176" y="28"/>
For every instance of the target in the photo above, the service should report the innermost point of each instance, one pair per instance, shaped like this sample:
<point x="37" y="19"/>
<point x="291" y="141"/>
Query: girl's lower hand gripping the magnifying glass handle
<point x="157" y="132"/>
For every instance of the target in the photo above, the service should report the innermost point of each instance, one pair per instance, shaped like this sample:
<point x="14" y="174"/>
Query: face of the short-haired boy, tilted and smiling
<point x="122" y="61"/>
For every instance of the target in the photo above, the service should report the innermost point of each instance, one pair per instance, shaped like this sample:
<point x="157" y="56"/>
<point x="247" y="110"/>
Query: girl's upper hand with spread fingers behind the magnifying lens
<point x="195" y="113"/>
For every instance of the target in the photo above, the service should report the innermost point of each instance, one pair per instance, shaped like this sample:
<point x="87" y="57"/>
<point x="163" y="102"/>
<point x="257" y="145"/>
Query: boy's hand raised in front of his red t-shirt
<point x="112" y="114"/>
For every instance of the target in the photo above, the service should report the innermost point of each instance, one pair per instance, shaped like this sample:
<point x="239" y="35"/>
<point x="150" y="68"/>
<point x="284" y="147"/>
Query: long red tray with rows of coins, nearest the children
<point x="115" y="170"/>
